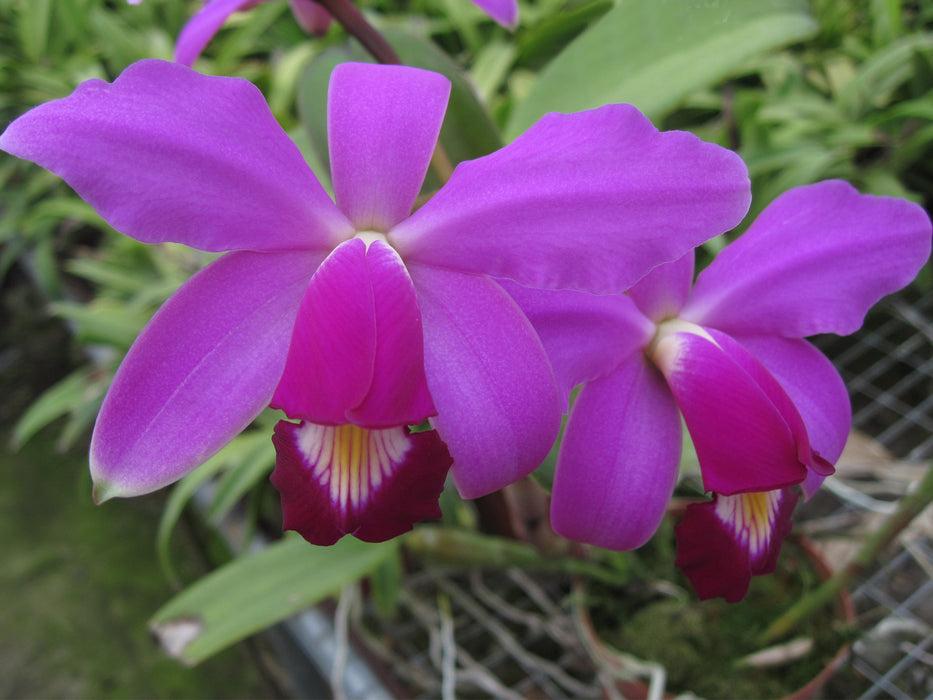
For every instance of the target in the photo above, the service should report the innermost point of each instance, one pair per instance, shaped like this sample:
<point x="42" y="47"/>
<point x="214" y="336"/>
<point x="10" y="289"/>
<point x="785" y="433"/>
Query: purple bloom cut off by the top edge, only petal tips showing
<point x="311" y="16"/>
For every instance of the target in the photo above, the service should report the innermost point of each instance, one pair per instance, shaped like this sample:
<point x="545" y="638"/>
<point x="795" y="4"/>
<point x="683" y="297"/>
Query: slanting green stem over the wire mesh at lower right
<point x="909" y="508"/>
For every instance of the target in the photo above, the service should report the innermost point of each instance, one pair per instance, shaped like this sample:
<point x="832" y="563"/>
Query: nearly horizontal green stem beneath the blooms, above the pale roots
<point x="465" y="549"/>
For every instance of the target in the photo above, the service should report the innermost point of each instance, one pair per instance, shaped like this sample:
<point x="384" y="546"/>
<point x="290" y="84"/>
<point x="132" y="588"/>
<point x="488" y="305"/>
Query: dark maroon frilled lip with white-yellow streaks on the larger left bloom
<point x="346" y="480"/>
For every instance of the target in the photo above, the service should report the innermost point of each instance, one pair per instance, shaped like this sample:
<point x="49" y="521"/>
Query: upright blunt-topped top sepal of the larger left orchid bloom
<point x="382" y="127"/>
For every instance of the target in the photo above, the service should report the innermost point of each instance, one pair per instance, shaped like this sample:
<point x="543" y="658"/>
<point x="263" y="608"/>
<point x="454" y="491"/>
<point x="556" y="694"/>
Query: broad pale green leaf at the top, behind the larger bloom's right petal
<point x="653" y="53"/>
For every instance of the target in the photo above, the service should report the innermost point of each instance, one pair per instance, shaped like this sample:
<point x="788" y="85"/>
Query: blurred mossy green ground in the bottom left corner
<point x="78" y="584"/>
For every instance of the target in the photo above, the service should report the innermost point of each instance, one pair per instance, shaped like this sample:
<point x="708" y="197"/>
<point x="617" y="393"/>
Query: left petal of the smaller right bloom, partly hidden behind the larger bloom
<point x="585" y="336"/>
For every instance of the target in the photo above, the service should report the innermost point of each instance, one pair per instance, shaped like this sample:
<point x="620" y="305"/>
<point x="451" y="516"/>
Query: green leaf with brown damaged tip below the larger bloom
<point x="254" y="592"/>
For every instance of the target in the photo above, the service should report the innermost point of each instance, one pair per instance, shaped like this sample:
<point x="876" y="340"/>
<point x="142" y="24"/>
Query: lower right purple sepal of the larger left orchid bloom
<point x="498" y="407"/>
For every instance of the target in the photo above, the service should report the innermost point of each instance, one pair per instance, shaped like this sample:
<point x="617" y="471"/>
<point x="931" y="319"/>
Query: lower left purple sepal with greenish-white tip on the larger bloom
<point x="199" y="373"/>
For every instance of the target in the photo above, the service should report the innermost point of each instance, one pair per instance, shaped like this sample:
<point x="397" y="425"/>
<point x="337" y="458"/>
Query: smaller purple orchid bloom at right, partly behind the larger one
<point x="765" y="409"/>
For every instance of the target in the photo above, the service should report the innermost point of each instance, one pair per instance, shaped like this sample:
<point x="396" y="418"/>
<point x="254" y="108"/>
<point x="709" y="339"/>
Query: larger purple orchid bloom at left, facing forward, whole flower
<point x="359" y="318"/>
